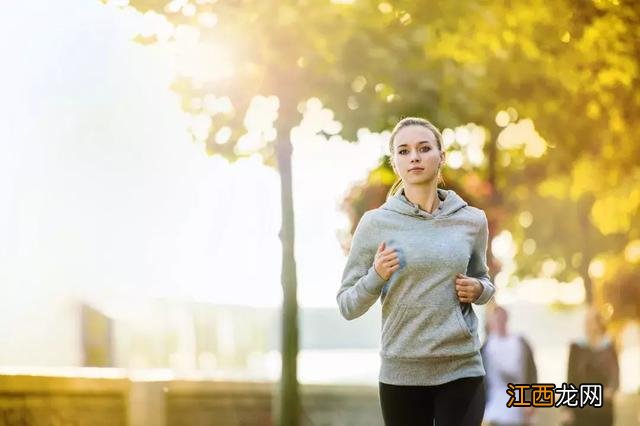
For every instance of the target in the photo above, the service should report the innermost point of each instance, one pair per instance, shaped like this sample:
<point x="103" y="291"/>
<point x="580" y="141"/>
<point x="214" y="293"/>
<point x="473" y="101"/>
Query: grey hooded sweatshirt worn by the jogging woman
<point x="428" y="336"/>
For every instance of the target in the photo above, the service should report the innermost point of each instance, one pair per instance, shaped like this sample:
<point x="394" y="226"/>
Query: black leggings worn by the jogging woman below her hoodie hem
<point x="457" y="403"/>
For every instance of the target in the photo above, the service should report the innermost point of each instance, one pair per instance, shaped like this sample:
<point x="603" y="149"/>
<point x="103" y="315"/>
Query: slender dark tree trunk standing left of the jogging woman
<point x="289" y="401"/>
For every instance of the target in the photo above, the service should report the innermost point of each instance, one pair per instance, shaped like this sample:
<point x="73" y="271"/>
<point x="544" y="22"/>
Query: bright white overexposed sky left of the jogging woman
<point x="106" y="196"/>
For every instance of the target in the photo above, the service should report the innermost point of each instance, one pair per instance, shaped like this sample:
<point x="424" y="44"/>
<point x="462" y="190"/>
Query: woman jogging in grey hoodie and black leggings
<point x="423" y="252"/>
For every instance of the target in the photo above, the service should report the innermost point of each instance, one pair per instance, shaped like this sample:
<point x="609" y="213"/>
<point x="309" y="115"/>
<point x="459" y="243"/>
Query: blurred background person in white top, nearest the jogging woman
<point x="507" y="358"/>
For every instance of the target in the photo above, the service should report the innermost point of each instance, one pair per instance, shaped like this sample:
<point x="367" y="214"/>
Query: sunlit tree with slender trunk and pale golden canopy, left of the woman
<point x="292" y="50"/>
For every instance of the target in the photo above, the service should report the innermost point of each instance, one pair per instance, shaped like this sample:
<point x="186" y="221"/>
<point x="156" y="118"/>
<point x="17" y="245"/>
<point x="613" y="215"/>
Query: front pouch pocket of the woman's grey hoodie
<point x="427" y="332"/>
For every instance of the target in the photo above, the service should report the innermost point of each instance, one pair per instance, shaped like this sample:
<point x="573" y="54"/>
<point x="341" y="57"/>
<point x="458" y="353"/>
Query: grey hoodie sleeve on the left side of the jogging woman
<point x="361" y="284"/>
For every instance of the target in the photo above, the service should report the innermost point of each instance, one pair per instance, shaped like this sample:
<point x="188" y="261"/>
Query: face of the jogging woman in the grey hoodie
<point x="416" y="156"/>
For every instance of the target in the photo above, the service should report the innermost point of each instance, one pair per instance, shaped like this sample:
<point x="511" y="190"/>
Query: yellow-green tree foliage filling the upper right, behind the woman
<point x="567" y="189"/>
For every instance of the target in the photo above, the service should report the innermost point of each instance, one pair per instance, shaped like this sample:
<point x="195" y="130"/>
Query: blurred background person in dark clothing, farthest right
<point x="593" y="359"/>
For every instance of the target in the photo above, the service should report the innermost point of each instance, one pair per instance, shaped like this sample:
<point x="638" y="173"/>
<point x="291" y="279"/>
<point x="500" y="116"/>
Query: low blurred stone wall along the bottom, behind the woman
<point x="106" y="397"/>
